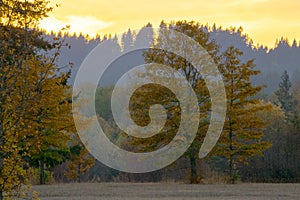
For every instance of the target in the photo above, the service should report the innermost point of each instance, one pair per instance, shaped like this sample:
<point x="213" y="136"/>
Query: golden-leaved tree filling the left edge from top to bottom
<point x="33" y="100"/>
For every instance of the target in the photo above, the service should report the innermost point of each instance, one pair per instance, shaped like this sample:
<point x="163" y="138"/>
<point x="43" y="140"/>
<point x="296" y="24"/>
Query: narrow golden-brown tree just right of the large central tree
<point x="243" y="129"/>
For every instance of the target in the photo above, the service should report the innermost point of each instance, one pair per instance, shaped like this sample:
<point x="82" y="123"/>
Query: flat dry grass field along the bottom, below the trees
<point x="170" y="191"/>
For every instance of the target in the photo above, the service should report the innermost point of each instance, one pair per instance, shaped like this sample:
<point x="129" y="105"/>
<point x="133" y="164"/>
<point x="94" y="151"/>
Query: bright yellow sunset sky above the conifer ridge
<point x="263" y="20"/>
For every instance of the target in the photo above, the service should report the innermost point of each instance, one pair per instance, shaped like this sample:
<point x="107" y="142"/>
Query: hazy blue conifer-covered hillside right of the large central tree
<point x="271" y="62"/>
